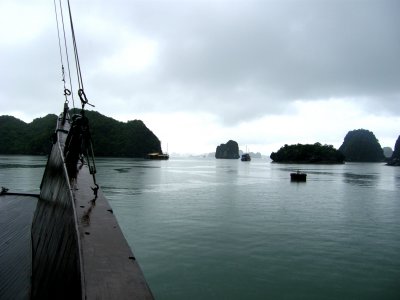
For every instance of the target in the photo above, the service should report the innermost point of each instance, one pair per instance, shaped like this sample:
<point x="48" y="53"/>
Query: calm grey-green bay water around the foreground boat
<point x="224" y="229"/>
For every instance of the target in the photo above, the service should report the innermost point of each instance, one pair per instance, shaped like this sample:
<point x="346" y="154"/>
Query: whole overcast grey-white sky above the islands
<point x="200" y="72"/>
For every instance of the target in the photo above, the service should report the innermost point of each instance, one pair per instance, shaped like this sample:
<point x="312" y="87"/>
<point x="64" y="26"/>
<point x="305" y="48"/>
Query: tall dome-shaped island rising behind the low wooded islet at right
<point x="361" y="145"/>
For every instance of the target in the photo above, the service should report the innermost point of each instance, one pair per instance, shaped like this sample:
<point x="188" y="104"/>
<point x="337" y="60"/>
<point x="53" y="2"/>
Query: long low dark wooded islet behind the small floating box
<point x="308" y="154"/>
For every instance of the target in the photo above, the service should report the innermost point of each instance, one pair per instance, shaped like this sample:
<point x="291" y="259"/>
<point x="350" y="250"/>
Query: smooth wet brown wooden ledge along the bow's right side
<point x="110" y="268"/>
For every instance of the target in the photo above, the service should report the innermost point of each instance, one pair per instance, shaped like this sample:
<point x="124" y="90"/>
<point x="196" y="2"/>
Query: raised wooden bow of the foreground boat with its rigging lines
<point x="78" y="248"/>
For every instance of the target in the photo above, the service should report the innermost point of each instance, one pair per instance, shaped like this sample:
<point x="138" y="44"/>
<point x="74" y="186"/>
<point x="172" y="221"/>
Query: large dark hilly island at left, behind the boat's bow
<point x="111" y="137"/>
